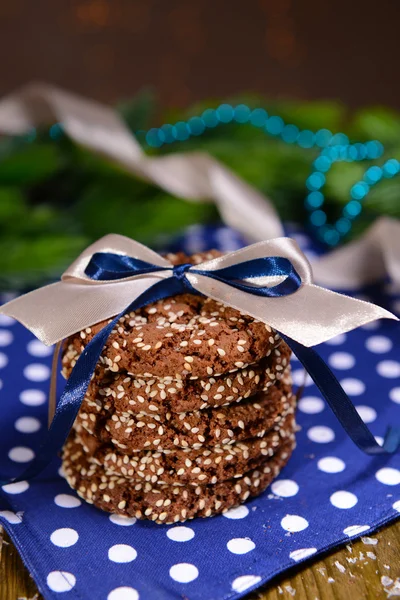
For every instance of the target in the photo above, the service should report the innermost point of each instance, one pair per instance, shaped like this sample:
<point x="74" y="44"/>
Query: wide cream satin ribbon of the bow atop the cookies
<point x="310" y="315"/>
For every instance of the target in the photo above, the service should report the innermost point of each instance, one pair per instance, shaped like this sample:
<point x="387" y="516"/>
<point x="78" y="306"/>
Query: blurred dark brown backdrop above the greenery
<point x="194" y="49"/>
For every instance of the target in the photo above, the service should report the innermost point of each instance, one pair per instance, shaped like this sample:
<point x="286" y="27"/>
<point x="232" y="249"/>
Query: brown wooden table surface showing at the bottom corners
<point x="368" y="569"/>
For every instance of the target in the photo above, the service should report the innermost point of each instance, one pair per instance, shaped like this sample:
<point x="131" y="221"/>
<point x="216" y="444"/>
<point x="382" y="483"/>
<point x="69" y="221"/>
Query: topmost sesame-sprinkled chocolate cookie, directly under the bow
<point x="181" y="337"/>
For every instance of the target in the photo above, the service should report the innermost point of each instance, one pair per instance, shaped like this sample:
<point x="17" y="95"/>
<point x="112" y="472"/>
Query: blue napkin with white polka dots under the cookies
<point x="329" y="492"/>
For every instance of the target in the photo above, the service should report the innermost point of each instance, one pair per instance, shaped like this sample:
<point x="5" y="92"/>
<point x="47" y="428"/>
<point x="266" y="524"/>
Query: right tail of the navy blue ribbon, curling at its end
<point x="341" y="405"/>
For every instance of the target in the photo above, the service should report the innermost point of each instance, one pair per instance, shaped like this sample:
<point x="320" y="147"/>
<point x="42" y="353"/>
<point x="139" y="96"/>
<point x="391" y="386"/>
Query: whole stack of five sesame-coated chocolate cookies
<point x="189" y="412"/>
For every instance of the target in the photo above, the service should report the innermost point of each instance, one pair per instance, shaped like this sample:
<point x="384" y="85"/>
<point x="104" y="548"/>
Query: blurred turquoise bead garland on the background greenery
<point x="334" y="148"/>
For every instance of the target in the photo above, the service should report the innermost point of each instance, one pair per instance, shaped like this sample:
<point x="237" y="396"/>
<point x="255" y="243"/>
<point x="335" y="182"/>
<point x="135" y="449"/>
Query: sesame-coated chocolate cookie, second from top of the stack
<point x="131" y="395"/>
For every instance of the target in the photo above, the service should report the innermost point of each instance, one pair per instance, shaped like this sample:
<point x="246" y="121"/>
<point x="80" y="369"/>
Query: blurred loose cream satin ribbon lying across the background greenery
<point x="197" y="177"/>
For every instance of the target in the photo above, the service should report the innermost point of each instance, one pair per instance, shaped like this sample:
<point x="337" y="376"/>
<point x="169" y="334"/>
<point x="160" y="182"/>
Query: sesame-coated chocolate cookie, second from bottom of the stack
<point x="187" y="466"/>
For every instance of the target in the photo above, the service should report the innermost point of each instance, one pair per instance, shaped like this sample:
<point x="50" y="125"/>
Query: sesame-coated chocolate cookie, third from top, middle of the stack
<point x="210" y="427"/>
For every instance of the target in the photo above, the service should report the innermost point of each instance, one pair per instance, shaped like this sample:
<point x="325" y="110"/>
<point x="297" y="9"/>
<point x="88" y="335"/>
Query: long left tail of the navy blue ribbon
<point x="71" y="399"/>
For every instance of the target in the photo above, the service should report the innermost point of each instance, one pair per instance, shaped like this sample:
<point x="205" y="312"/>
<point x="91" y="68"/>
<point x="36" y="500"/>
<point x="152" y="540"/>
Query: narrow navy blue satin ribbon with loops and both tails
<point x="108" y="266"/>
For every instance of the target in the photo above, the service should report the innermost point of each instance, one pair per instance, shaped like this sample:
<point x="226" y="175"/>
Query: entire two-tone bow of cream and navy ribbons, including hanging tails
<point x="271" y="281"/>
